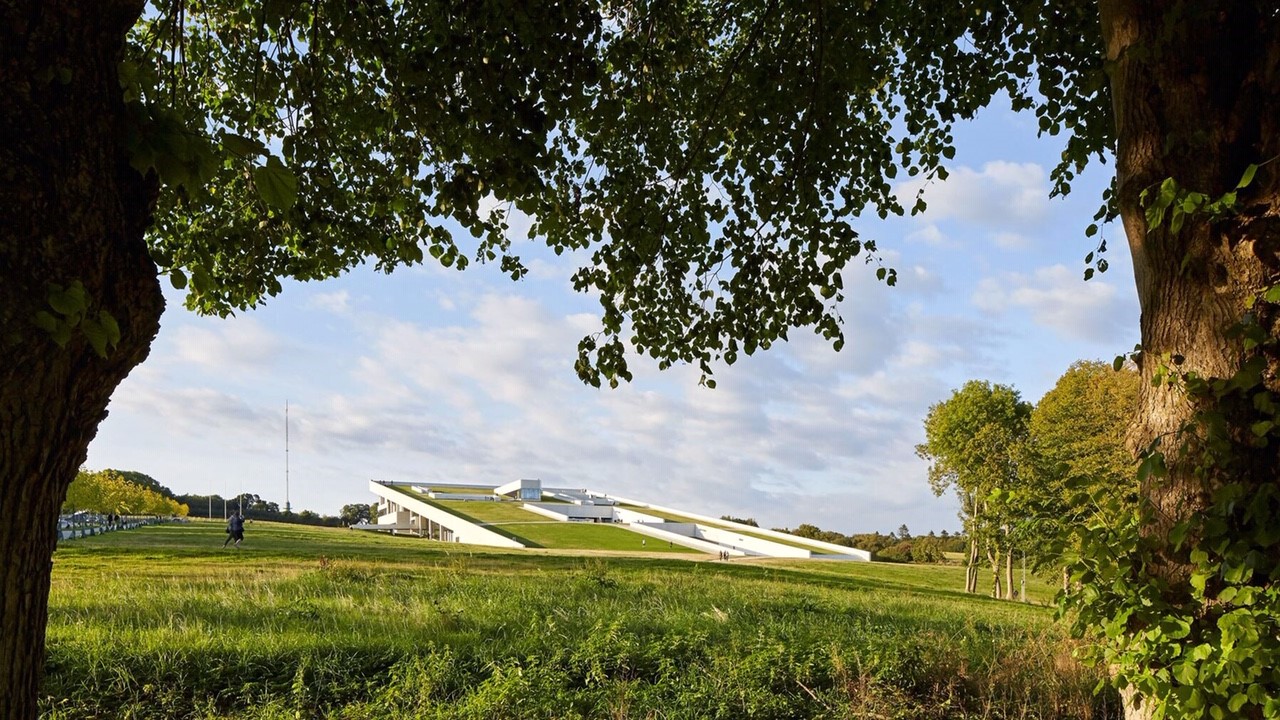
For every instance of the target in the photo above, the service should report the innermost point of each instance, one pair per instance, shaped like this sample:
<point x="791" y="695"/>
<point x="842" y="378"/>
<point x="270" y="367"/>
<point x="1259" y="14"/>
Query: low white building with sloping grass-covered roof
<point x="495" y="516"/>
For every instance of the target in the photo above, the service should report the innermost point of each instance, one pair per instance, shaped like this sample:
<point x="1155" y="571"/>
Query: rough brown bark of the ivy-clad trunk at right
<point x="1199" y="107"/>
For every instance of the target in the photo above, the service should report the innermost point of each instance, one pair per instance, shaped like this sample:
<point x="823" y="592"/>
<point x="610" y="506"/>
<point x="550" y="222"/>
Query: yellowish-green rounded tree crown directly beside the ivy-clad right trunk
<point x="1080" y="470"/>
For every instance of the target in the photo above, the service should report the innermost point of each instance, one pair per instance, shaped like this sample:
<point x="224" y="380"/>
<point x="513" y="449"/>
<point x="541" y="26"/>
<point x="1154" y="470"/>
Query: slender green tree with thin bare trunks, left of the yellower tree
<point x="973" y="441"/>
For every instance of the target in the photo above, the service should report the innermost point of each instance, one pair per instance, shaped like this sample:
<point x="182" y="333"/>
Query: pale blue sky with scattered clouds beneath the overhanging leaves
<point x="437" y="376"/>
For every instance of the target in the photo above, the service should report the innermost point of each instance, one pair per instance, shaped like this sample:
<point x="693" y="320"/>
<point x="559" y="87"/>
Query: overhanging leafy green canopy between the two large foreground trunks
<point x="707" y="160"/>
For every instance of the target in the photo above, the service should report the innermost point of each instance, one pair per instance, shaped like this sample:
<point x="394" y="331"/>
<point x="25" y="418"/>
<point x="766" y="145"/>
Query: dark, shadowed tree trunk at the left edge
<point x="71" y="211"/>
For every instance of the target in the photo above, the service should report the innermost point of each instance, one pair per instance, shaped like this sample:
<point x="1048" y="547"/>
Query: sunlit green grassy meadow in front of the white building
<point x="328" y="623"/>
